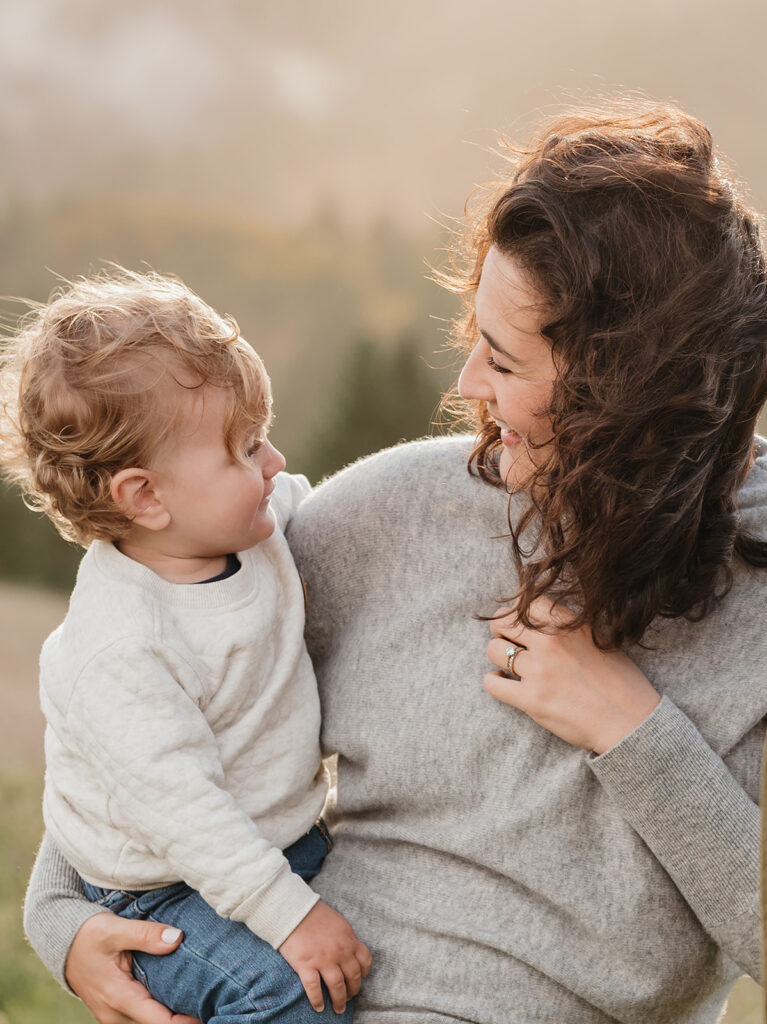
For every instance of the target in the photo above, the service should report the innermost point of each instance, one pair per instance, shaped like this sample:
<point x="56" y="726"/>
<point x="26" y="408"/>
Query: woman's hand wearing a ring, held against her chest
<point x="589" y="698"/>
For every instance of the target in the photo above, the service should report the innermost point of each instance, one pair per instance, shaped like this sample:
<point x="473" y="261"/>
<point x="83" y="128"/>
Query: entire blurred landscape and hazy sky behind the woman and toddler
<point x="297" y="164"/>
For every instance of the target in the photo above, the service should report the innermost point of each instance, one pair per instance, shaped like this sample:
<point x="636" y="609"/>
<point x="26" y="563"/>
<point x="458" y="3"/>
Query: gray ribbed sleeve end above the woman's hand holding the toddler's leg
<point x="55" y="909"/>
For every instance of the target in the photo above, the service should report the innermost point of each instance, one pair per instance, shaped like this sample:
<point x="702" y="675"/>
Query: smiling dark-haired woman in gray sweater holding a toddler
<point x="583" y="848"/>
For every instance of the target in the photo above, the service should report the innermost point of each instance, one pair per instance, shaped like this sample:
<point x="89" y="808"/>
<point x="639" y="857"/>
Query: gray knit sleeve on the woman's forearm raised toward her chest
<point x="698" y="820"/>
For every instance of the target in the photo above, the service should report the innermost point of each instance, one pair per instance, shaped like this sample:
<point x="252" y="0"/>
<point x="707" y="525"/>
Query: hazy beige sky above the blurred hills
<point x="377" y="108"/>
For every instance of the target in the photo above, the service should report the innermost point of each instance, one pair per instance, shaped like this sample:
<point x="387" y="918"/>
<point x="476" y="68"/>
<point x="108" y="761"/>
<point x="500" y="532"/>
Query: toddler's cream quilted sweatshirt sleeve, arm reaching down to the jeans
<point x="156" y="755"/>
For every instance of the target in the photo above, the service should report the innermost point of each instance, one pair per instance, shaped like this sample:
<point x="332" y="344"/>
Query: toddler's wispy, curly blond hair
<point x="93" y="383"/>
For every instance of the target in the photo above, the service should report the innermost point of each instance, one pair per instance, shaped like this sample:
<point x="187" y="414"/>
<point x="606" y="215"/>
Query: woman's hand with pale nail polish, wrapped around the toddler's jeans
<point x="99" y="970"/>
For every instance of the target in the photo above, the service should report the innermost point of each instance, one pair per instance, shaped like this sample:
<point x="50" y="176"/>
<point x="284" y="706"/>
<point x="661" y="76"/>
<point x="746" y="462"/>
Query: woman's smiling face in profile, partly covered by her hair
<point x="510" y="369"/>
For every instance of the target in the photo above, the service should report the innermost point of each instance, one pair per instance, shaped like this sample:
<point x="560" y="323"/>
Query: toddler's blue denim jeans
<point x="223" y="973"/>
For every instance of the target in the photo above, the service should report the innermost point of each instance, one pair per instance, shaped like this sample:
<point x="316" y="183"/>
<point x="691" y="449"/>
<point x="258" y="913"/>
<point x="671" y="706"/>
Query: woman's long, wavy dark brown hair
<point x="653" y="274"/>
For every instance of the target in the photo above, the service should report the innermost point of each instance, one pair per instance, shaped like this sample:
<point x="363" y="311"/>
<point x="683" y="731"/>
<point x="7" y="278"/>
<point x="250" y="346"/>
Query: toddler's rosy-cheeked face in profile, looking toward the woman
<point x="219" y="505"/>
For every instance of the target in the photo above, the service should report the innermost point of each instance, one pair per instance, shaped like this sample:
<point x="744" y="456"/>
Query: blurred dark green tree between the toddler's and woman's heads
<point x="383" y="396"/>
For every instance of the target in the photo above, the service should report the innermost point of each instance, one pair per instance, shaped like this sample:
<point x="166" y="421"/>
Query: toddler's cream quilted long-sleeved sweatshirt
<point x="183" y="738"/>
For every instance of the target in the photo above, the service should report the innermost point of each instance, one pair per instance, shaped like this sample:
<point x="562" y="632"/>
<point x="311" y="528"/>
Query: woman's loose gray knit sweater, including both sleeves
<point x="499" y="875"/>
